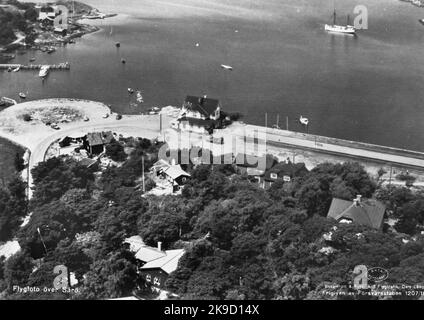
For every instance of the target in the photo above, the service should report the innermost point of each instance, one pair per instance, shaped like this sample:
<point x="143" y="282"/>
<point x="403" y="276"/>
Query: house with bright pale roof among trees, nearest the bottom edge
<point x="155" y="264"/>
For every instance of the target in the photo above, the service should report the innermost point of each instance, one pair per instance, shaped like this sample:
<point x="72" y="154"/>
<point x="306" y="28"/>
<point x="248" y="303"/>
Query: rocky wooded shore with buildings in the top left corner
<point x="31" y="26"/>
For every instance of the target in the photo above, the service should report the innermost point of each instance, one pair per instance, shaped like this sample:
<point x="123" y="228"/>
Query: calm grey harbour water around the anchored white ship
<point x="368" y="88"/>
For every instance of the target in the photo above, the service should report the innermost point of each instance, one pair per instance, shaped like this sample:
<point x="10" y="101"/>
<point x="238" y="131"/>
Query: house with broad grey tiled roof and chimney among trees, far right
<point x="368" y="212"/>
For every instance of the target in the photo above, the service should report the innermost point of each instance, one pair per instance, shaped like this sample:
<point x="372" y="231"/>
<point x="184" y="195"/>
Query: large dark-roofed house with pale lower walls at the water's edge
<point x="199" y="114"/>
